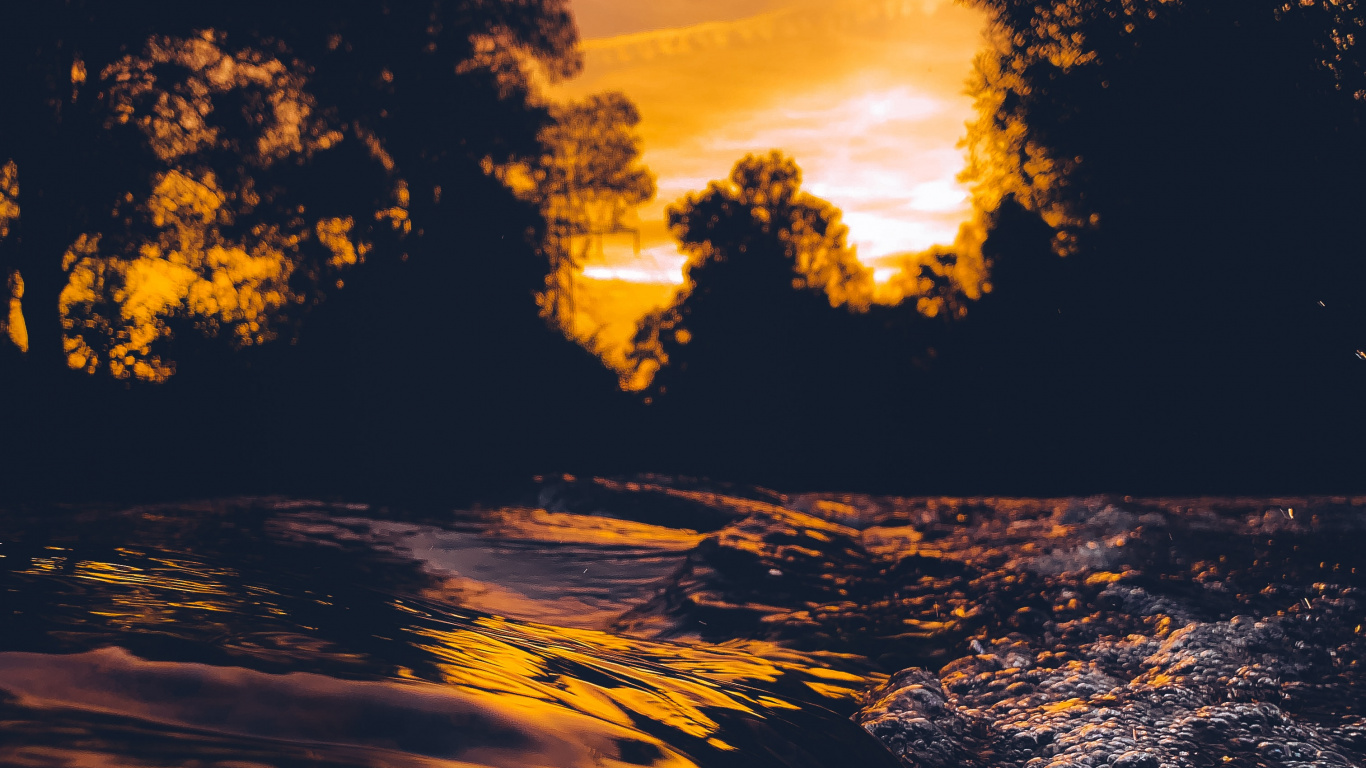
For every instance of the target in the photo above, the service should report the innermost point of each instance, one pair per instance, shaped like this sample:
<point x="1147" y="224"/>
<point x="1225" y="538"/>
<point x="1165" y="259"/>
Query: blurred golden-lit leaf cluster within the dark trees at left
<point x="215" y="248"/>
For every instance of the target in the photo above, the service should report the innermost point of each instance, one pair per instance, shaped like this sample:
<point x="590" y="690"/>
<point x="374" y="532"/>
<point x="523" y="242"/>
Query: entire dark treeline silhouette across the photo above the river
<point x="1200" y="334"/>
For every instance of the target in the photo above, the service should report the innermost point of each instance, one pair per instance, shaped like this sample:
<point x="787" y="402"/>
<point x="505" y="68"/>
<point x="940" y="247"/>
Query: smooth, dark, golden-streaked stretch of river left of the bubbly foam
<point x="273" y="632"/>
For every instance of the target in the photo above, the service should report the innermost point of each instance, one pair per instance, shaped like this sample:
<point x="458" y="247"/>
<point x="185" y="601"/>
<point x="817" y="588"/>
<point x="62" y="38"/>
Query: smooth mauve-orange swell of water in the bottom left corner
<point x="305" y="718"/>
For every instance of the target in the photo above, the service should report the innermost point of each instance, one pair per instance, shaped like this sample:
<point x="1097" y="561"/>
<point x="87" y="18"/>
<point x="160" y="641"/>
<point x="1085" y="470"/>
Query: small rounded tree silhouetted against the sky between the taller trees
<point x="767" y="263"/>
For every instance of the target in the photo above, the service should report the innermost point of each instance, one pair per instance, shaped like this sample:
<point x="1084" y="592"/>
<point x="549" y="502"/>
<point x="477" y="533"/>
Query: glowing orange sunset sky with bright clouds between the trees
<point x="867" y="95"/>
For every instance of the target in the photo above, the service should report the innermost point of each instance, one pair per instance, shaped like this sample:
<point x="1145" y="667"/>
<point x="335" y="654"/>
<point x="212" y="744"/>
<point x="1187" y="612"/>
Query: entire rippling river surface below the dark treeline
<point x="648" y="622"/>
